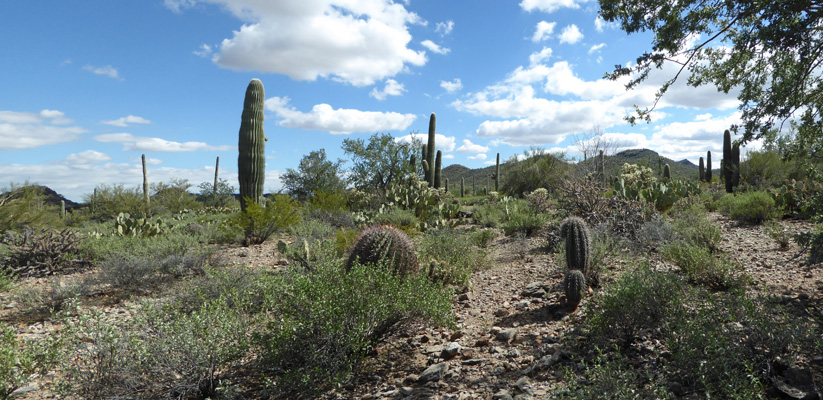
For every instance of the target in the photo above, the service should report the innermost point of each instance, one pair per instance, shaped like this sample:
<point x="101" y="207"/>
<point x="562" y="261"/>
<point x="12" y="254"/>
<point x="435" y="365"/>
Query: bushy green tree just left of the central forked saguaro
<point x="380" y="162"/>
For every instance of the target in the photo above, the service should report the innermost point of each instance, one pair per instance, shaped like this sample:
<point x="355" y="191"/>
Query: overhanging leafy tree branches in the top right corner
<point x="769" y="51"/>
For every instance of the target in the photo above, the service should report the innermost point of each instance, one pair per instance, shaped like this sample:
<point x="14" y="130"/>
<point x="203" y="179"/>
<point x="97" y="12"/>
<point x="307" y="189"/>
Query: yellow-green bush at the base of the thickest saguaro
<point x="259" y="223"/>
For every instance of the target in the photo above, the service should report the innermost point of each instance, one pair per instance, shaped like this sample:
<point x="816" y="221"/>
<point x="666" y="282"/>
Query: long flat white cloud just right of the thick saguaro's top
<point x="323" y="117"/>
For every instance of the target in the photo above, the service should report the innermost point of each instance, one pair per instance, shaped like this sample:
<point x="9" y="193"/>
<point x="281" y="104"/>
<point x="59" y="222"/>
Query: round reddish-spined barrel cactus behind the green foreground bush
<point x="384" y="244"/>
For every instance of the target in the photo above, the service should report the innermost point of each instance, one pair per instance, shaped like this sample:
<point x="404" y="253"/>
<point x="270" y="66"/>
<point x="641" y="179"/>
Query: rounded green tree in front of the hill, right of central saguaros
<point x="539" y="169"/>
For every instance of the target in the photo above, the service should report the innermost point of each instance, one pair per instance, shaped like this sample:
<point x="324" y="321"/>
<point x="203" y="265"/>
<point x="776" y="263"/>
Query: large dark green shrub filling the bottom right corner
<point x="729" y="347"/>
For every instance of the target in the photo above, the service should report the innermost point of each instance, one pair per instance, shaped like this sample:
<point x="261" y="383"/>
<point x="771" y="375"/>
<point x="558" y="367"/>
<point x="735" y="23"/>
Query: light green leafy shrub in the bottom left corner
<point x="21" y="360"/>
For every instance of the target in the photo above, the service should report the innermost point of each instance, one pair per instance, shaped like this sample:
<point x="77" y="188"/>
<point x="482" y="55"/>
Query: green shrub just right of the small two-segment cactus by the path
<point x="640" y="299"/>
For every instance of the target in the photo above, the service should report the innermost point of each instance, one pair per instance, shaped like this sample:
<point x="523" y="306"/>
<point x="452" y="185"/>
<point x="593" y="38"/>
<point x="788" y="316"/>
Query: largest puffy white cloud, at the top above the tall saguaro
<point x="356" y="41"/>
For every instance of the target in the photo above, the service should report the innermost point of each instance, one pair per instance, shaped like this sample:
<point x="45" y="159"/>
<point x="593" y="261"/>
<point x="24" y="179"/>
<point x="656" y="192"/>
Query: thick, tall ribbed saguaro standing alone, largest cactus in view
<point x="251" y="161"/>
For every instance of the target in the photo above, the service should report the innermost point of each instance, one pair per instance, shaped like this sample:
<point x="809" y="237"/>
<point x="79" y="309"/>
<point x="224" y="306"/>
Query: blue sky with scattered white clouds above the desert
<point x="87" y="87"/>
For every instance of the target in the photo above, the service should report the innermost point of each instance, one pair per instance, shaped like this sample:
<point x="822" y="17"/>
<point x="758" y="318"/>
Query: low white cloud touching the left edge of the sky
<point x="23" y="130"/>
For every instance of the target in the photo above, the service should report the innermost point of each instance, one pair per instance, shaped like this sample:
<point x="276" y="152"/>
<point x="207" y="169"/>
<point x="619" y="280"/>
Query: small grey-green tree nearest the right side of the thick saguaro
<point x="314" y="174"/>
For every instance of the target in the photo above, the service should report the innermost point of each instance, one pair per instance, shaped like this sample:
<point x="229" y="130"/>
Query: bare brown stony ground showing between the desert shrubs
<point x="508" y="343"/>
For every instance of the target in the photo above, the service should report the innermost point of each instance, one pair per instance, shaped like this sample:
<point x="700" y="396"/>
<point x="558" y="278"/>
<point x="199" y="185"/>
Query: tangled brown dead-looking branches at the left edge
<point x="40" y="252"/>
